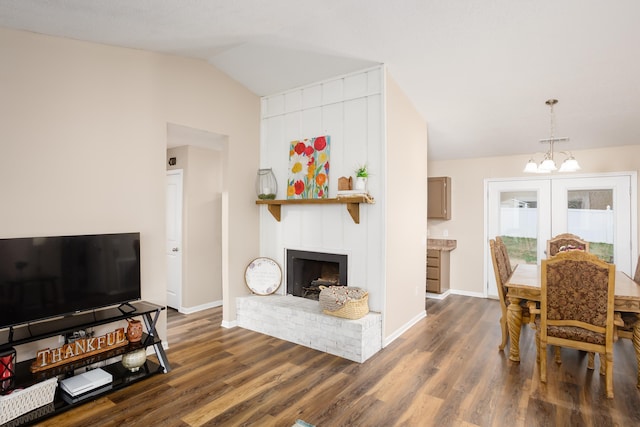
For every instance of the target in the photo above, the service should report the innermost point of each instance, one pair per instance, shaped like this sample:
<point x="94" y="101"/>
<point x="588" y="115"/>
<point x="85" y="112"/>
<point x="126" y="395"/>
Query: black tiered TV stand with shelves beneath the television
<point x="61" y="326"/>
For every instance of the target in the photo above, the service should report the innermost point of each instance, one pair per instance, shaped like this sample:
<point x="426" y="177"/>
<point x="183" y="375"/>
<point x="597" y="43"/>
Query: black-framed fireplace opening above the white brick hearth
<point x="307" y="271"/>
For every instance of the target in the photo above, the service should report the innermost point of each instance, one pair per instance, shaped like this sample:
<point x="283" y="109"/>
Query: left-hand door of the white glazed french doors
<point x="518" y="211"/>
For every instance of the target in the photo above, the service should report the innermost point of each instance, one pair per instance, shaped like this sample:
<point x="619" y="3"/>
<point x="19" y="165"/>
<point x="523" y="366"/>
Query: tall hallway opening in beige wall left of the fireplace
<point x="202" y="156"/>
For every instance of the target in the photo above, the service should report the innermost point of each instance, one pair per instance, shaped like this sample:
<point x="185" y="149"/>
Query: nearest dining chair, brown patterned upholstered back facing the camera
<point x="576" y="308"/>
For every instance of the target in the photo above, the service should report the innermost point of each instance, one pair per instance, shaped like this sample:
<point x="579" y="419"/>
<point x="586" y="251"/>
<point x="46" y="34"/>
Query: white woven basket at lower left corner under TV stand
<point x="22" y="401"/>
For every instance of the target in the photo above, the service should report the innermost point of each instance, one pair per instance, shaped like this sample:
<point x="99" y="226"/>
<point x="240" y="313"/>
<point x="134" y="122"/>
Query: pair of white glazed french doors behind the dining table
<point x="528" y="212"/>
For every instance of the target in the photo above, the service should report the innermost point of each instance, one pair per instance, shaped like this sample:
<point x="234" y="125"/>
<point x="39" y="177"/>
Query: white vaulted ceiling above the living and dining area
<point x="479" y="71"/>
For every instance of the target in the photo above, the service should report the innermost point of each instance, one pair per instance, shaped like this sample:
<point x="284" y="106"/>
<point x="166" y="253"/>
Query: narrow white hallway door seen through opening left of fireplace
<point x="174" y="238"/>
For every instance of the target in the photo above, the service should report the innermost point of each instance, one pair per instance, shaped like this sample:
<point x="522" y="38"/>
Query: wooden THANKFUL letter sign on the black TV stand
<point x="79" y="349"/>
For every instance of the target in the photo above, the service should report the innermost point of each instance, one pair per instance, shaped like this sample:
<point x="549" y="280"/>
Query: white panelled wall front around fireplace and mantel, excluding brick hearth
<point x="350" y="109"/>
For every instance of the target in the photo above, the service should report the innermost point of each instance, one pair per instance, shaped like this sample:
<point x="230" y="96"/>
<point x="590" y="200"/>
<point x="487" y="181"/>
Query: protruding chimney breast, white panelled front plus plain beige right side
<point x="369" y="119"/>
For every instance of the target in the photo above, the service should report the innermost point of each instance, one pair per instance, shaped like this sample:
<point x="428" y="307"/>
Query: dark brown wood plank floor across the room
<point x="445" y="371"/>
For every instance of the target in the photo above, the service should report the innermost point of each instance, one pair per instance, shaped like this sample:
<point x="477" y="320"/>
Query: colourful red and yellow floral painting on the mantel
<point x="309" y="168"/>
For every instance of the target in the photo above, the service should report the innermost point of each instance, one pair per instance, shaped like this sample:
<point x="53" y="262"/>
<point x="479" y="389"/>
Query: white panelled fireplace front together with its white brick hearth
<point x="349" y="109"/>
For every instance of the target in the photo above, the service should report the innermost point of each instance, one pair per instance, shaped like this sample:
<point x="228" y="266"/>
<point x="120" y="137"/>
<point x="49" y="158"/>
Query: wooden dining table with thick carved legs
<point x="525" y="284"/>
